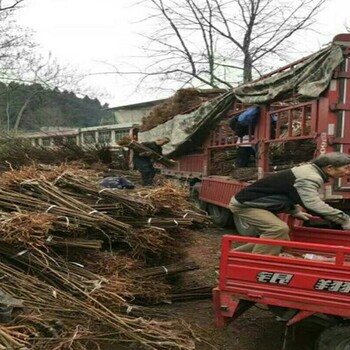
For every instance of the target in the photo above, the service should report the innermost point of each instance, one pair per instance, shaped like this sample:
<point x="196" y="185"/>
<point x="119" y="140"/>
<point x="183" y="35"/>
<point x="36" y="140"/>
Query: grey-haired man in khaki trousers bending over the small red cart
<point x="284" y="192"/>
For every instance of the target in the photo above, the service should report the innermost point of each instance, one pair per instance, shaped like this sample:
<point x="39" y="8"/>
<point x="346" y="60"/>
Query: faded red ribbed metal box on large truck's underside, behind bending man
<point x="219" y="191"/>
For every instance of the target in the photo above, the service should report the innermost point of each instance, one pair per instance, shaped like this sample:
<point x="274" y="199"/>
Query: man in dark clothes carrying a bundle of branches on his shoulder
<point x="144" y="163"/>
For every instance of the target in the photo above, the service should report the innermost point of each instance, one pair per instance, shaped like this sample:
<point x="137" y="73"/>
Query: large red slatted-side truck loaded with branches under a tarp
<point x="289" y="131"/>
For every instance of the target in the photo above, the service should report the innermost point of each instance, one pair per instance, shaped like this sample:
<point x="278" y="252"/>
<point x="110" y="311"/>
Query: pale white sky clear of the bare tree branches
<point x="94" y="35"/>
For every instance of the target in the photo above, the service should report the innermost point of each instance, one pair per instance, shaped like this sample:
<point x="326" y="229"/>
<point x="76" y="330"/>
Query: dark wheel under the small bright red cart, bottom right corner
<point x="334" y="338"/>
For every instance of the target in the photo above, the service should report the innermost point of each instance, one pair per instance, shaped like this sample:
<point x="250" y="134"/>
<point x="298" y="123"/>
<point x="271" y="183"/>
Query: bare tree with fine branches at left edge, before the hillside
<point x="20" y="63"/>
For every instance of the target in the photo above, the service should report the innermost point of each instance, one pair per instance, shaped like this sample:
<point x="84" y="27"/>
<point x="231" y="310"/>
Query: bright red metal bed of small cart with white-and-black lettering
<point x="309" y="286"/>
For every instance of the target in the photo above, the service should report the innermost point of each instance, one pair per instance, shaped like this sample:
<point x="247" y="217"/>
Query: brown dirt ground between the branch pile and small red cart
<point x="257" y="329"/>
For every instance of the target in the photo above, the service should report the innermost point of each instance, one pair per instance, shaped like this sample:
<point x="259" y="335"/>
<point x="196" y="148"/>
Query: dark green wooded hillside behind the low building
<point x="29" y="107"/>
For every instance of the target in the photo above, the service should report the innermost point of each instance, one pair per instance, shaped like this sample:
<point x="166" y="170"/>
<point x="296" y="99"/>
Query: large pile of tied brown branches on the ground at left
<point x="89" y="262"/>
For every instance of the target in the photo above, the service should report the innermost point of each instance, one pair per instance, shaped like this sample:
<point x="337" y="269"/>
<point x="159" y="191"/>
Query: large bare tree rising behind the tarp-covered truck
<point x="218" y="42"/>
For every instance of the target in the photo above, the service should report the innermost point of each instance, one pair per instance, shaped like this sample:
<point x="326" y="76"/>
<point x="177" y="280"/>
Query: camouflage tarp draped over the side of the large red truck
<point x="307" y="79"/>
